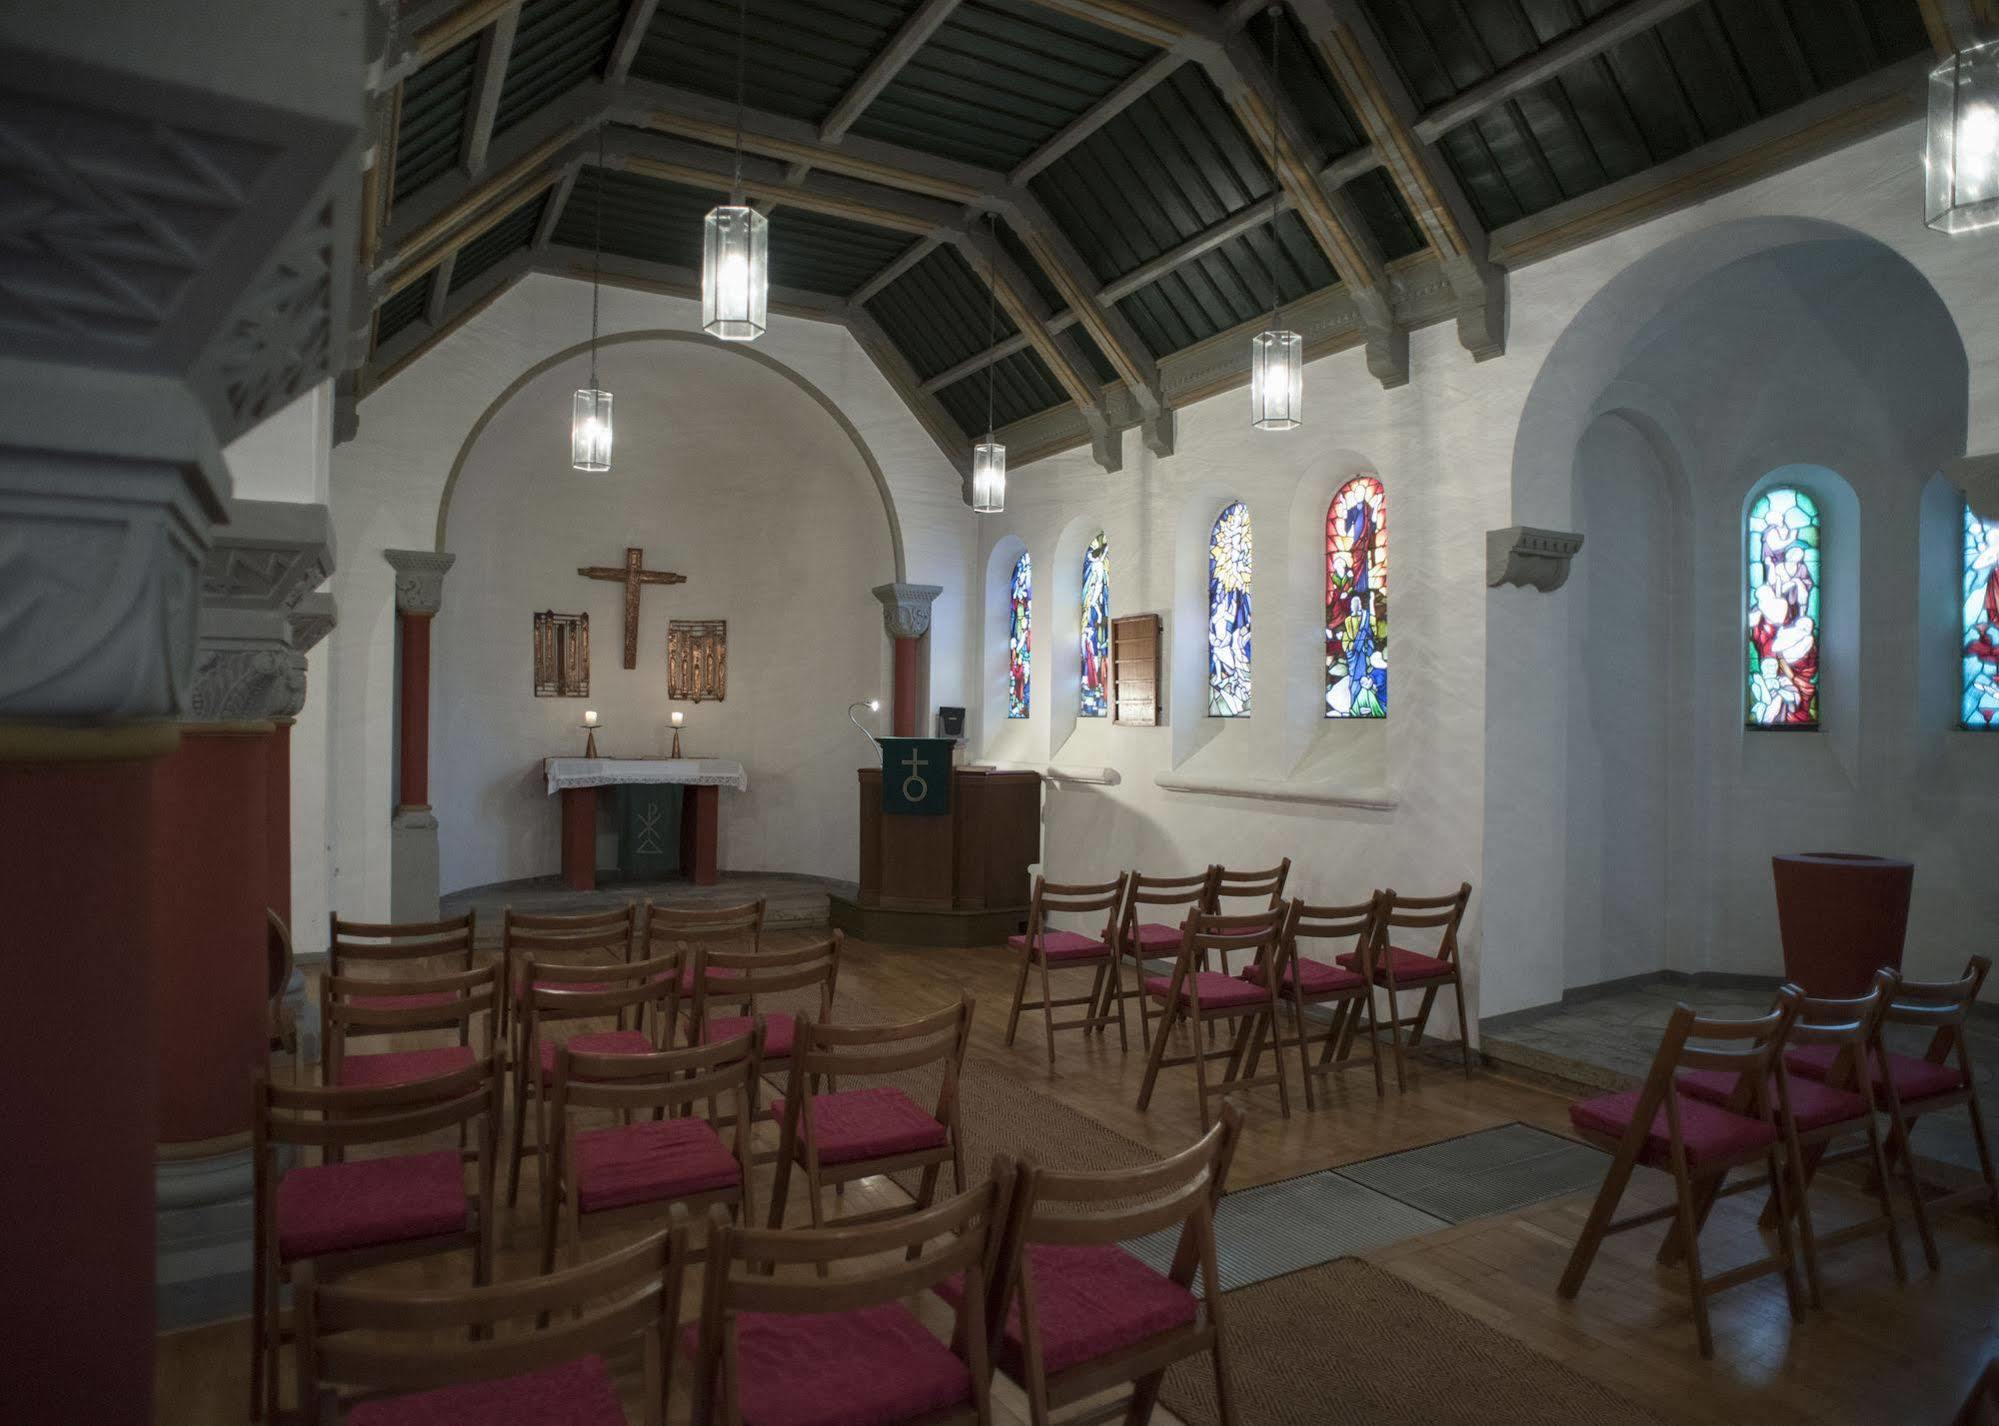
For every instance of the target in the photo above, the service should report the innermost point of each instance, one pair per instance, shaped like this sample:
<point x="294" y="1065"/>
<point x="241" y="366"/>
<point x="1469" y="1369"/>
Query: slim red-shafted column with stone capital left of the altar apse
<point x="413" y="891"/>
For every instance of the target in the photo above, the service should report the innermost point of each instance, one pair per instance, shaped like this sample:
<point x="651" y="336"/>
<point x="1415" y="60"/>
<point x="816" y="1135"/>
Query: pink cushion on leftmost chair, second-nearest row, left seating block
<point x="369" y="1203"/>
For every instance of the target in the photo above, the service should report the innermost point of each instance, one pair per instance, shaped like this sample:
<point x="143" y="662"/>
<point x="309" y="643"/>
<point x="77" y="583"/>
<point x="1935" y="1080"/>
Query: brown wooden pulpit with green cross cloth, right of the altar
<point x="949" y="881"/>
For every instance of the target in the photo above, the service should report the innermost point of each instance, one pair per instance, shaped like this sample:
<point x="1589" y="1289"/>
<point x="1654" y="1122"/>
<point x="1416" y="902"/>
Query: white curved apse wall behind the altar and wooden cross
<point x="725" y="473"/>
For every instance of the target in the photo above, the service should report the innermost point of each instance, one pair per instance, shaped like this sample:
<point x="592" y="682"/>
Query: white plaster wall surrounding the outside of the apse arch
<point x="387" y="491"/>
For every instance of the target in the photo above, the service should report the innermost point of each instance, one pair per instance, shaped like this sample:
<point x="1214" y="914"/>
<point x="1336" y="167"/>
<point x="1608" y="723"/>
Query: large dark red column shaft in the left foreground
<point x="79" y="1071"/>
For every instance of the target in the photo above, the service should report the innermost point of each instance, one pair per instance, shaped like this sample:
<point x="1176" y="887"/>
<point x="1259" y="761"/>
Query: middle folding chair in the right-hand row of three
<point x="1816" y="1113"/>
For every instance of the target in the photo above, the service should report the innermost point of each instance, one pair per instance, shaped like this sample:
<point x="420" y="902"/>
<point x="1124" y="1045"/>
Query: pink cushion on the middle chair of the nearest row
<point x="843" y="1369"/>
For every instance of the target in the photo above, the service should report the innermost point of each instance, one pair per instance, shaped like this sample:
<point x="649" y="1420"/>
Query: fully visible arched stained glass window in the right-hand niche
<point x="1784" y="611"/>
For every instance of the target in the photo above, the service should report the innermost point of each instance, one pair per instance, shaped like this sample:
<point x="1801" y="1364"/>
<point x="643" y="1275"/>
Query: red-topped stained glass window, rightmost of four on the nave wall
<point x="1356" y="601"/>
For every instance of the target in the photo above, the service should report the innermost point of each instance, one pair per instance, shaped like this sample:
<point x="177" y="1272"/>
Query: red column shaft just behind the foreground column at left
<point x="209" y="885"/>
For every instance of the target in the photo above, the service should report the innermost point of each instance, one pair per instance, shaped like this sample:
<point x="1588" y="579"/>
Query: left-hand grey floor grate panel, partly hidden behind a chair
<point x="1300" y="1223"/>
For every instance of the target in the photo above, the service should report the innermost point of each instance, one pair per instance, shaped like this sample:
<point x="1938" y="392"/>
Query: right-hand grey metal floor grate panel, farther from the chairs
<point x="1488" y="1173"/>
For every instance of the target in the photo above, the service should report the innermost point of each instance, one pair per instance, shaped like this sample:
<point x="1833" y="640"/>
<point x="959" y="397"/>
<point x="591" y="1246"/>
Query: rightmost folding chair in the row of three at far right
<point x="1924" y="1085"/>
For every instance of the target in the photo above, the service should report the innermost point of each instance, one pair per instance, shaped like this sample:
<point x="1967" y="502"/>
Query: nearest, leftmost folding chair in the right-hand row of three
<point x="1698" y="1143"/>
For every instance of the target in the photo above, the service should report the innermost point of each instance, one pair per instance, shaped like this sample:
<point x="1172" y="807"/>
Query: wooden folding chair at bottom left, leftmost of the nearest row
<point x="375" y="1345"/>
